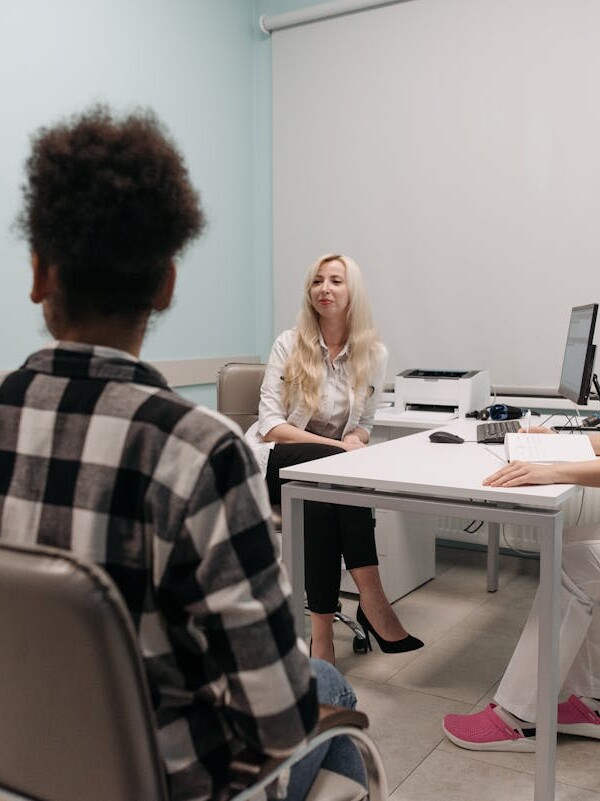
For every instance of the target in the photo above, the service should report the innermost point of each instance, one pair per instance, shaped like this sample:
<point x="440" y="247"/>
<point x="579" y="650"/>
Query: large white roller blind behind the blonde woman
<point x="452" y="147"/>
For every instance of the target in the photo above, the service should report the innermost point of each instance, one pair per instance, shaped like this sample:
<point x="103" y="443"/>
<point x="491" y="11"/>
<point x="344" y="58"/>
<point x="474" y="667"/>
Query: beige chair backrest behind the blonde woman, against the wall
<point x="238" y="392"/>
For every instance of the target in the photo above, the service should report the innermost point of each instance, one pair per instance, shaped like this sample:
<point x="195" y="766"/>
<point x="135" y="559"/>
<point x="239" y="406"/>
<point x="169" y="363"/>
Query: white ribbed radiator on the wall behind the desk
<point x="583" y="508"/>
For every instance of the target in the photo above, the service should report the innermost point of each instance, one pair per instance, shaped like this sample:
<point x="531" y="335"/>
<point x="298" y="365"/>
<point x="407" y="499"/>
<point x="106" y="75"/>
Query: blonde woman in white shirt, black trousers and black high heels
<point x="318" y="397"/>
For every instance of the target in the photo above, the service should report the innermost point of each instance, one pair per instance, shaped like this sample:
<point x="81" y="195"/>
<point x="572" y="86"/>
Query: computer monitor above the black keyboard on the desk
<point x="578" y="362"/>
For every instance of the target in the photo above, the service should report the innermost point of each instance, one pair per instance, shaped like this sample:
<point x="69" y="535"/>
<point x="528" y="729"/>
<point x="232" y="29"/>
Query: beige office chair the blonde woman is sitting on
<point x="238" y="396"/>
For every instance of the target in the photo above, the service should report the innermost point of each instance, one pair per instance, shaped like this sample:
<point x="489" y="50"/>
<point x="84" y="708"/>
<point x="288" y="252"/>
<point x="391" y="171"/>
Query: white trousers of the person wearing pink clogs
<point x="579" y="638"/>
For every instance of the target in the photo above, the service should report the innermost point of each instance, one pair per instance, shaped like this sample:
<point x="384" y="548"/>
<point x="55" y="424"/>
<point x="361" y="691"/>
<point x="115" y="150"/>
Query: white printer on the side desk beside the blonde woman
<point x="460" y="391"/>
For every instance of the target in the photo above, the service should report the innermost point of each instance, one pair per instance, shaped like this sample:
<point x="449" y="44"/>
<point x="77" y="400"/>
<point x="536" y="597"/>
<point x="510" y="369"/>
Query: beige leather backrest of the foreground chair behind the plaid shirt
<point x="76" y="723"/>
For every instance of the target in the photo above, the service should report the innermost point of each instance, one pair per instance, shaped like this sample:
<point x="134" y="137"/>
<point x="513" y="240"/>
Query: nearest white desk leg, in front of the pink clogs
<point x="547" y="695"/>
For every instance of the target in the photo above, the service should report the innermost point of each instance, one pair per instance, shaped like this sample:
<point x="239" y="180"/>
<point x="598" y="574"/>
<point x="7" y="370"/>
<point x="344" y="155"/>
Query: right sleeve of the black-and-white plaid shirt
<point x="223" y="572"/>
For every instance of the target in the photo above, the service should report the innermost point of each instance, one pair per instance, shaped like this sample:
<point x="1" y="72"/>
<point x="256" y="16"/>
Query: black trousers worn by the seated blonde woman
<point x="330" y="530"/>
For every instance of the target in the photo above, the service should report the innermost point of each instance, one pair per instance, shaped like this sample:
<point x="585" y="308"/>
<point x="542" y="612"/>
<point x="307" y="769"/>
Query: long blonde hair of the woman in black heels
<point x="303" y="372"/>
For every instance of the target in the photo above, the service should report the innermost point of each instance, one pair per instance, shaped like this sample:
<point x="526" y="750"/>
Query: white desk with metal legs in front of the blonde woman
<point x="415" y="475"/>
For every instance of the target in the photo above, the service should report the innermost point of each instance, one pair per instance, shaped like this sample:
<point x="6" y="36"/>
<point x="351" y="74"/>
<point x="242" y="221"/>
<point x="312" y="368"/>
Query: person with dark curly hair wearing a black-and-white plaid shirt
<point x="99" y="456"/>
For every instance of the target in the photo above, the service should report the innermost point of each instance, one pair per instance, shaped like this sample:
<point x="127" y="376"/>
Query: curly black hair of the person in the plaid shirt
<point x="109" y="203"/>
